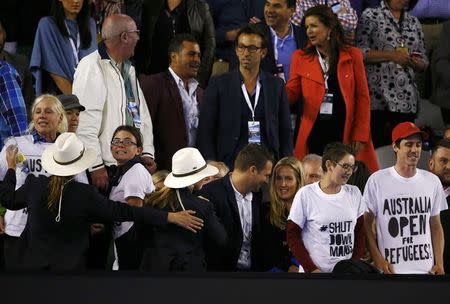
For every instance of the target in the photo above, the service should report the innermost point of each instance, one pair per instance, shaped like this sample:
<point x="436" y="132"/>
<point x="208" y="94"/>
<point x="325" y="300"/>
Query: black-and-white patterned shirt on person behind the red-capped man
<point x="392" y="88"/>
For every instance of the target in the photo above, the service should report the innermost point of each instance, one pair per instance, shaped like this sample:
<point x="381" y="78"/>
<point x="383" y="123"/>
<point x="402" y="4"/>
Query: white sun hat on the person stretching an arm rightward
<point x="67" y="156"/>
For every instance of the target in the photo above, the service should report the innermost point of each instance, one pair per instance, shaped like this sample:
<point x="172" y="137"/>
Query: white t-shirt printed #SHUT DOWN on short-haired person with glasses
<point x="328" y="222"/>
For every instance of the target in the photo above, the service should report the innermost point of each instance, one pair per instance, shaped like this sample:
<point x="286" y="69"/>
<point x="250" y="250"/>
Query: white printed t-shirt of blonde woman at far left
<point x="15" y="220"/>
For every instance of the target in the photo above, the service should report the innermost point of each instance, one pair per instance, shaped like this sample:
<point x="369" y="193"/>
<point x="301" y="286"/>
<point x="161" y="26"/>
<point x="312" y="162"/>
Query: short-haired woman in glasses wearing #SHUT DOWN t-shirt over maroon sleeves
<point x="325" y="224"/>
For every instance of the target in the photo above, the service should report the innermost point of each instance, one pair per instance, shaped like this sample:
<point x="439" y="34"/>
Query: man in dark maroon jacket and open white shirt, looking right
<point x="172" y="99"/>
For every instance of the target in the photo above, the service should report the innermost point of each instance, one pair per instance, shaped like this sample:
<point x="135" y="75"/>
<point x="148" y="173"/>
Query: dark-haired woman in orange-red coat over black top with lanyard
<point x="337" y="109"/>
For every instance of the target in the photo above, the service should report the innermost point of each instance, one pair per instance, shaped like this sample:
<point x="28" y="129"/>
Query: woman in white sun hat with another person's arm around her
<point x="171" y="248"/>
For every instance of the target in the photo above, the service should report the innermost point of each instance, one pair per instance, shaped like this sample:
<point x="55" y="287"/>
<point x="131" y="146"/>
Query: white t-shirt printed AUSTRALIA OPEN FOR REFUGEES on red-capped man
<point x="403" y="207"/>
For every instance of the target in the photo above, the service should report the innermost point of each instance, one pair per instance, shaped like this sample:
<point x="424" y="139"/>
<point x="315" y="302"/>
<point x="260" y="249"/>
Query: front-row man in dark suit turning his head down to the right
<point x="237" y="201"/>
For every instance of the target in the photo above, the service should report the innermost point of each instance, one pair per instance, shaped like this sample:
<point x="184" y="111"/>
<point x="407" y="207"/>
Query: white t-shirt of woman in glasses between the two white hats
<point x="135" y="182"/>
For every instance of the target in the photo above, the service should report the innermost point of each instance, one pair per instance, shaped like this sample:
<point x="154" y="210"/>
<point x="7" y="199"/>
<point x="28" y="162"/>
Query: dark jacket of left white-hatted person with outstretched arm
<point x="62" y="246"/>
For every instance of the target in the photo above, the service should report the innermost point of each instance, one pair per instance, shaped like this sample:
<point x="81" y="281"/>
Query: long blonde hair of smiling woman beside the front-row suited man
<point x="278" y="212"/>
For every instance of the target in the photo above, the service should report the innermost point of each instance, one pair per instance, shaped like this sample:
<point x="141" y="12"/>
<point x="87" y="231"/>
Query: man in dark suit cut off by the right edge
<point x="439" y="164"/>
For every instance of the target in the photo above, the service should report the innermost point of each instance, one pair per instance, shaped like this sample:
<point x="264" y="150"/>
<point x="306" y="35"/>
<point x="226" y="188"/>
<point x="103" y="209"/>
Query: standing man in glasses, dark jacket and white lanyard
<point x="244" y="106"/>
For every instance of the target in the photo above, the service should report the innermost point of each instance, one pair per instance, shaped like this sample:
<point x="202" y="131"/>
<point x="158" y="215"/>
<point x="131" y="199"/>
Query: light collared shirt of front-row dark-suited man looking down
<point x="244" y="204"/>
